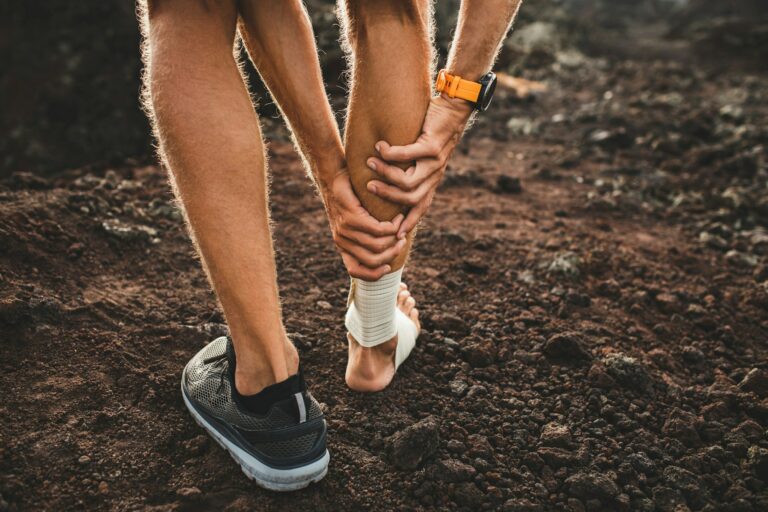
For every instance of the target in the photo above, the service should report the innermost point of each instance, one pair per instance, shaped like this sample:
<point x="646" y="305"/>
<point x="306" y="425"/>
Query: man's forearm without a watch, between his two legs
<point x="285" y="54"/>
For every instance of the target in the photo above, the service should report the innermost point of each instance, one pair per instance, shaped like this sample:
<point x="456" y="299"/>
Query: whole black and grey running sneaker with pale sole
<point x="282" y="450"/>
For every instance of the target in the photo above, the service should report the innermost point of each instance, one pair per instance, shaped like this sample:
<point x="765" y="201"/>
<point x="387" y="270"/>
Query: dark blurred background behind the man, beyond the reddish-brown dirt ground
<point x="70" y="70"/>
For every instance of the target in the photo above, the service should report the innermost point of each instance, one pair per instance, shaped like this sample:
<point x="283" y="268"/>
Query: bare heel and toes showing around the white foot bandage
<point x="372" y="368"/>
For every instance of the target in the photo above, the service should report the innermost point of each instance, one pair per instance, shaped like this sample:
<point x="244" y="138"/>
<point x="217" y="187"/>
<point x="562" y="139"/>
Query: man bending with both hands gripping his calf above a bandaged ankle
<point x="247" y="390"/>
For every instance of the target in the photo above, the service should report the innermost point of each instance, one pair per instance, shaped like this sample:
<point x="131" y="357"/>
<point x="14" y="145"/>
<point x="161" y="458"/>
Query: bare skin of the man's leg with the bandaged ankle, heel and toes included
<point x="390" y="46"/>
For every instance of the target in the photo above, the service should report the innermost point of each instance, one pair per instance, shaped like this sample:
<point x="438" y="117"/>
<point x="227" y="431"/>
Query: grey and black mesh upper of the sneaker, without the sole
<point x="277" y="438"/>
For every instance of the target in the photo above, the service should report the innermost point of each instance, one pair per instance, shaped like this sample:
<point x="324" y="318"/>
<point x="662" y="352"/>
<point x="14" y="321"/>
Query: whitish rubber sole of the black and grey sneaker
<point x="265" y="476"/>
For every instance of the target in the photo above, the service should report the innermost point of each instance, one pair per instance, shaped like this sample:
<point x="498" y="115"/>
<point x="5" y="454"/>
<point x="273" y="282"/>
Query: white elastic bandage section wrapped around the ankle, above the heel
<point x="371" y="309"/>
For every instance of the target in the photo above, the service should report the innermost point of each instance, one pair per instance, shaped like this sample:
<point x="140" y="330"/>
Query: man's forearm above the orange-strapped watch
<point x="480" y="30"/>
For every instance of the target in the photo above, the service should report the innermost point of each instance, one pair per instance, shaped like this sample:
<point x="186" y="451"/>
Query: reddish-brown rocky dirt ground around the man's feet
<point x="594" y="291"/>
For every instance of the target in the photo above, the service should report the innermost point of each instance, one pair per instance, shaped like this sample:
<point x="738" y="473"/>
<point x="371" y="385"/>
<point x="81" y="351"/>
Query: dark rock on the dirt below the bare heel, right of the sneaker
<point x="408" y="448"/>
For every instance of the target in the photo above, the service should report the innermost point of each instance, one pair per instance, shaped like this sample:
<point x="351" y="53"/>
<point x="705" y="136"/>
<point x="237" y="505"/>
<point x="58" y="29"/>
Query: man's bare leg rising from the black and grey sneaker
<point x="211" y="143"/>
